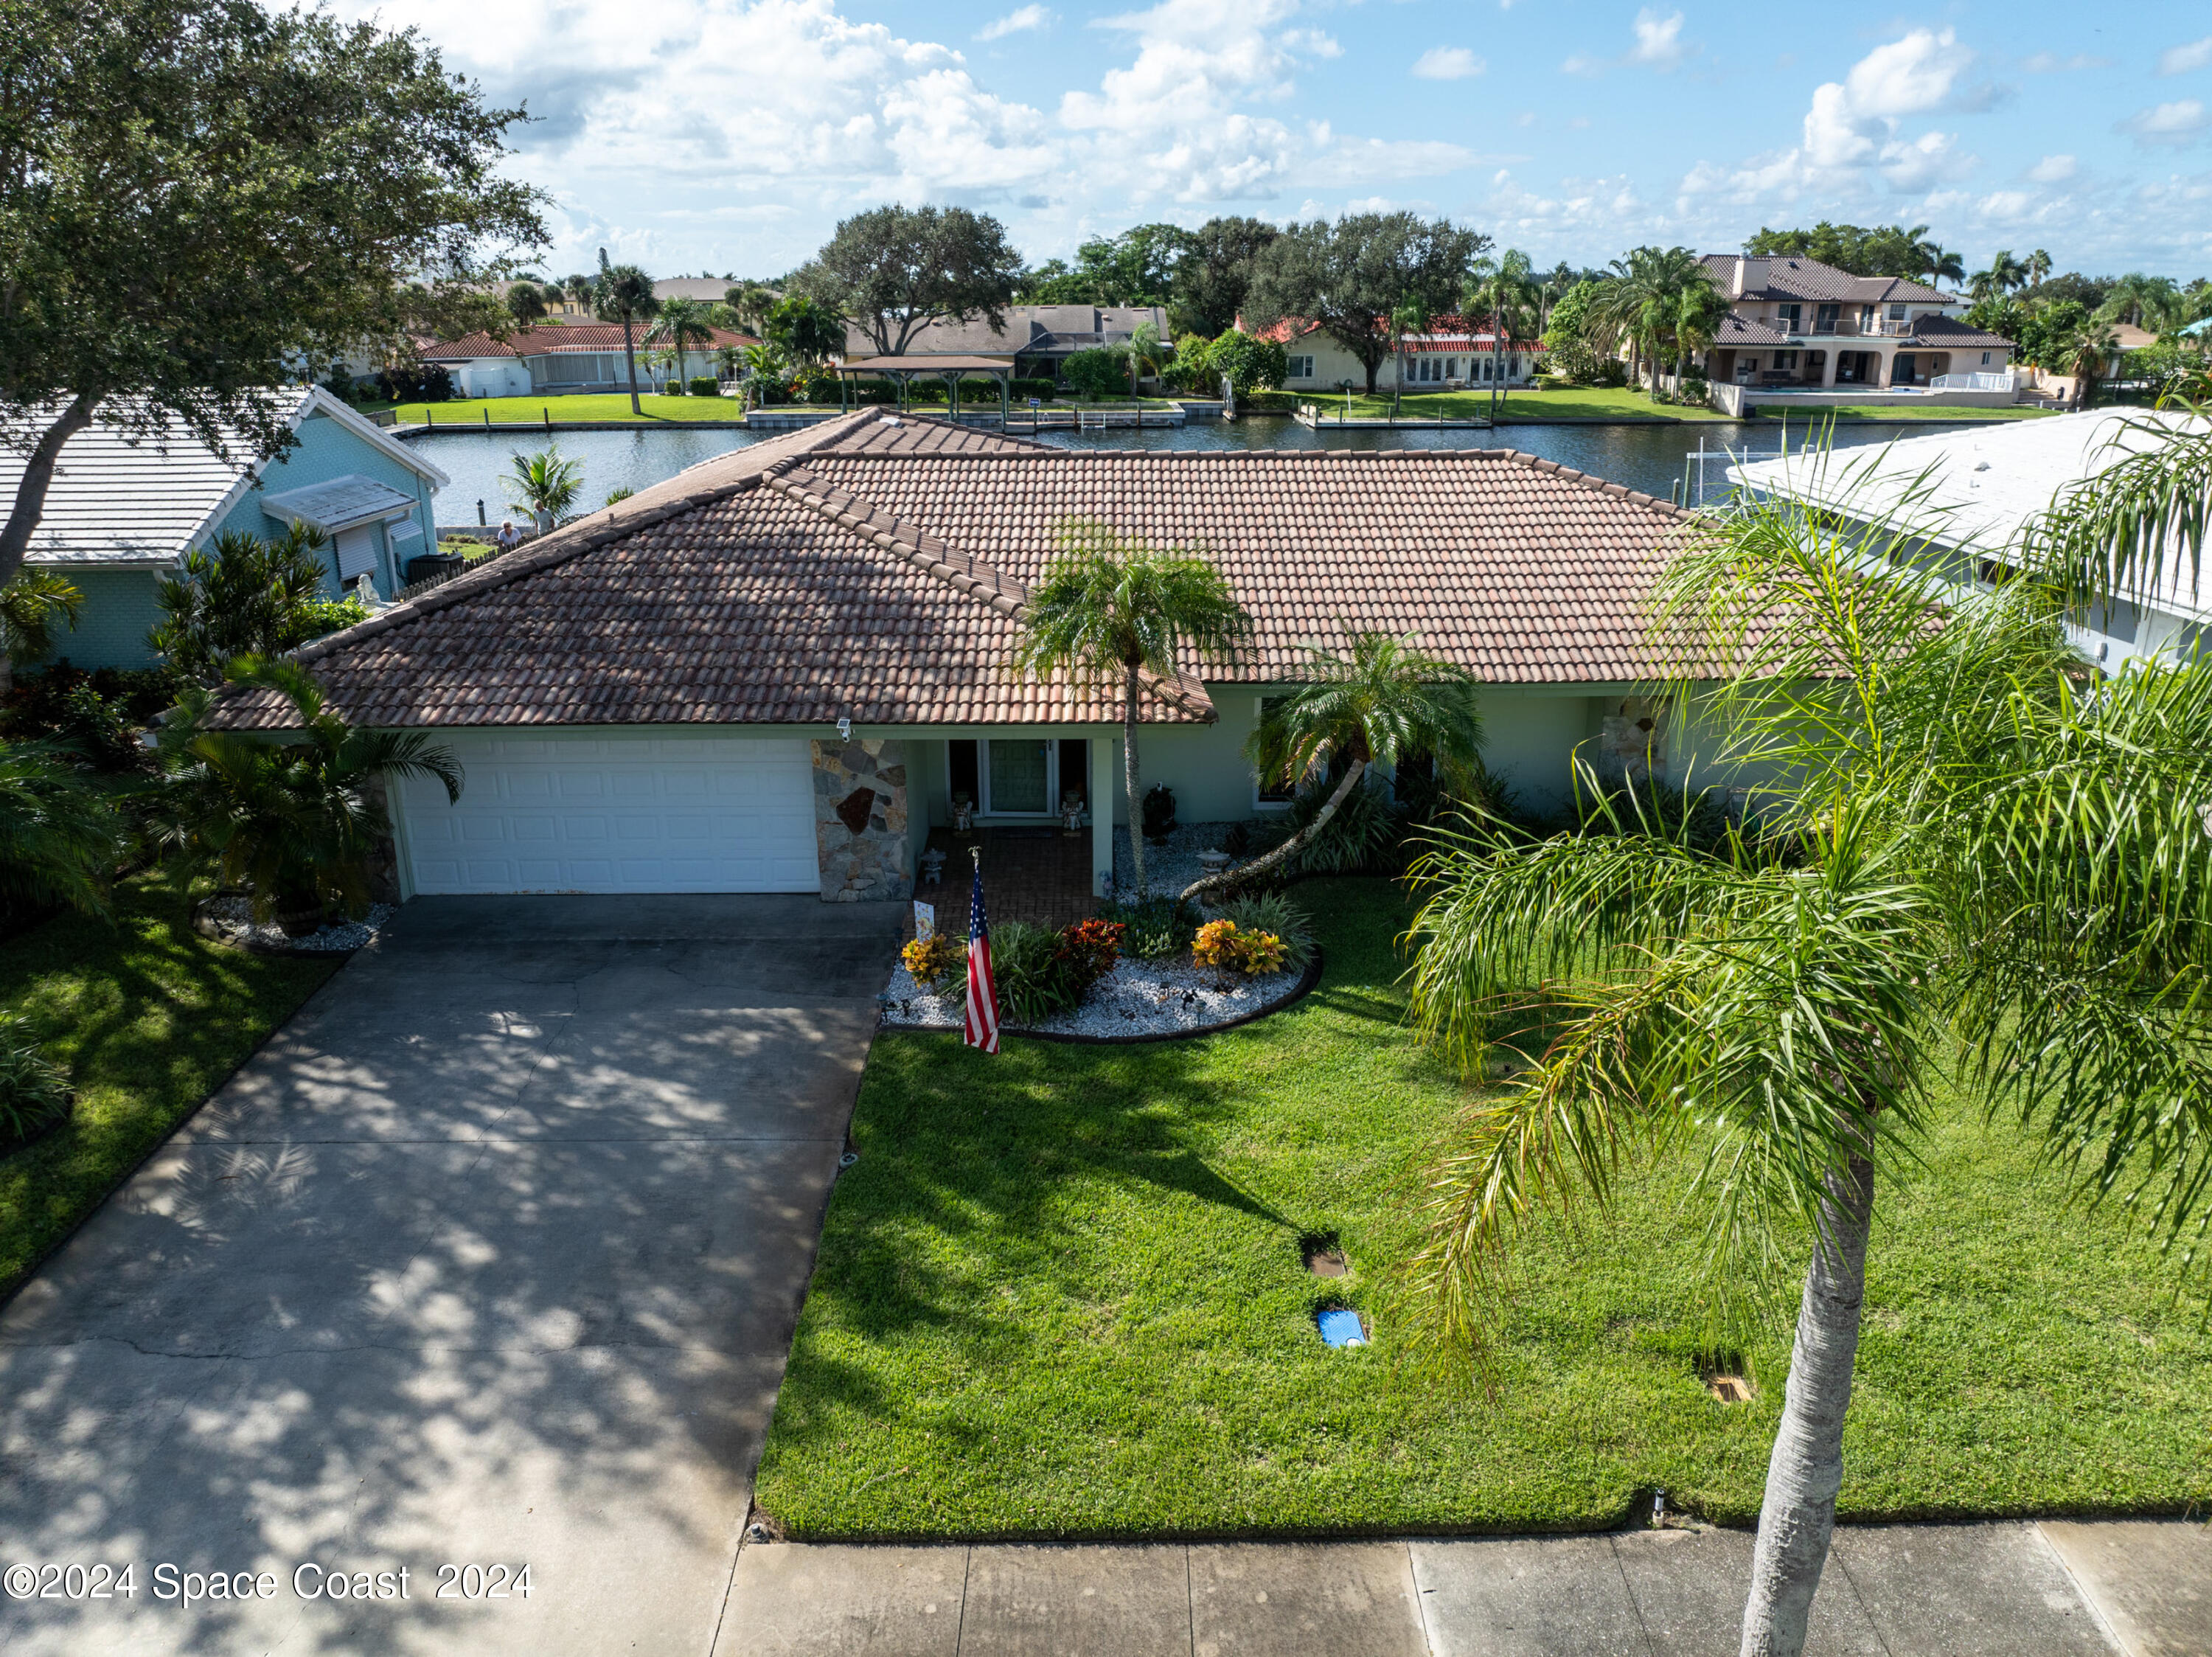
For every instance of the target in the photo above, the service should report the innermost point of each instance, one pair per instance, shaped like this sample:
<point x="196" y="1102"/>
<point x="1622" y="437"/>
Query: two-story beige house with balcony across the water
<point x="1802" y="326"/>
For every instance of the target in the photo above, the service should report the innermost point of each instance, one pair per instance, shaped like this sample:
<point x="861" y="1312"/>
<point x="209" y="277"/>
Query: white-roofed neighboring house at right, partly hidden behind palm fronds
<point x="1970" y="492"/>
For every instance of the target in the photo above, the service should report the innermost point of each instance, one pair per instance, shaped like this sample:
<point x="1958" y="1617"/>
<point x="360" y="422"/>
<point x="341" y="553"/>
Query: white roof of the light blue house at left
<point x="147" y="501"/>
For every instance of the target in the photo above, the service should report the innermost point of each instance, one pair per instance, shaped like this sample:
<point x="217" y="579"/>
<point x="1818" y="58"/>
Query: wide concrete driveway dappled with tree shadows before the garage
<point x="488" y="1260"/>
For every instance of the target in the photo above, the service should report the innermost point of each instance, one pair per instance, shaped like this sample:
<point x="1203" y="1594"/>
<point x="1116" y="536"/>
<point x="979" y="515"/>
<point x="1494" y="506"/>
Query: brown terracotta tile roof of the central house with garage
<point x="877" y="570"/>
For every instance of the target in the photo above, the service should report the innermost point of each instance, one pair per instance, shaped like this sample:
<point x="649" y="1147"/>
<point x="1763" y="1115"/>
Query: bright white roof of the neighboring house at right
<point x="1974" y="486"/>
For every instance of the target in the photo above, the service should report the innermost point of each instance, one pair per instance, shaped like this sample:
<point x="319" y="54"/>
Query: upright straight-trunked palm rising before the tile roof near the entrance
<point x="1114" y="607"/>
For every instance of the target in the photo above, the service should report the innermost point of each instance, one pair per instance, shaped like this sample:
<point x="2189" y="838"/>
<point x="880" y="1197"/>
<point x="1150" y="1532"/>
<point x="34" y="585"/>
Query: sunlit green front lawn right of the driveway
<point x="1061" y="1295"/>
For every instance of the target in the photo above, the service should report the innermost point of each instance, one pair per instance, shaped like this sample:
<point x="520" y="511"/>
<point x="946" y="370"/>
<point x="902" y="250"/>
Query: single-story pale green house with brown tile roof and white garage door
<point x="773" y="671"/>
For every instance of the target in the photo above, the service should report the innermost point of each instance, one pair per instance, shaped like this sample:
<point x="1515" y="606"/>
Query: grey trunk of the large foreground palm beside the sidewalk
<point x="1806" y="1470"/>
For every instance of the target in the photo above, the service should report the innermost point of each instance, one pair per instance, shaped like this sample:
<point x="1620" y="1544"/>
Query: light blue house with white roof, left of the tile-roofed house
<point x="123" y="514"/>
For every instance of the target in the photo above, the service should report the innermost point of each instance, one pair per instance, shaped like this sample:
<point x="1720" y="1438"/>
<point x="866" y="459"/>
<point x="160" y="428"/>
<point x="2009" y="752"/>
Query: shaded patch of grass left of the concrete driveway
<point x="149" y="1019"/>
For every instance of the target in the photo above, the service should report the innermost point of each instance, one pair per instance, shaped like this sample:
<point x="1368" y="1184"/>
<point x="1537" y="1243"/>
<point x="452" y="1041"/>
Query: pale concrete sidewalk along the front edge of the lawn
<point x="2054" y="1590"/>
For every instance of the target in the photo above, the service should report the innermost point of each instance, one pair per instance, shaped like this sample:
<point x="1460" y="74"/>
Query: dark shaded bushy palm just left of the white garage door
<point x="291" y="817"/>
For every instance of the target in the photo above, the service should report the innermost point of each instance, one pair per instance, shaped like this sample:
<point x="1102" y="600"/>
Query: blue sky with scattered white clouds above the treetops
<point x="731" y="136"/>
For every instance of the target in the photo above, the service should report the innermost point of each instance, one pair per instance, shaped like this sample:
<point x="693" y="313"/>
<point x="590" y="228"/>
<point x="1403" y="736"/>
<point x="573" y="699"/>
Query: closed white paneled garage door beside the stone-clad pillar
<point x="623" y="813"/>
